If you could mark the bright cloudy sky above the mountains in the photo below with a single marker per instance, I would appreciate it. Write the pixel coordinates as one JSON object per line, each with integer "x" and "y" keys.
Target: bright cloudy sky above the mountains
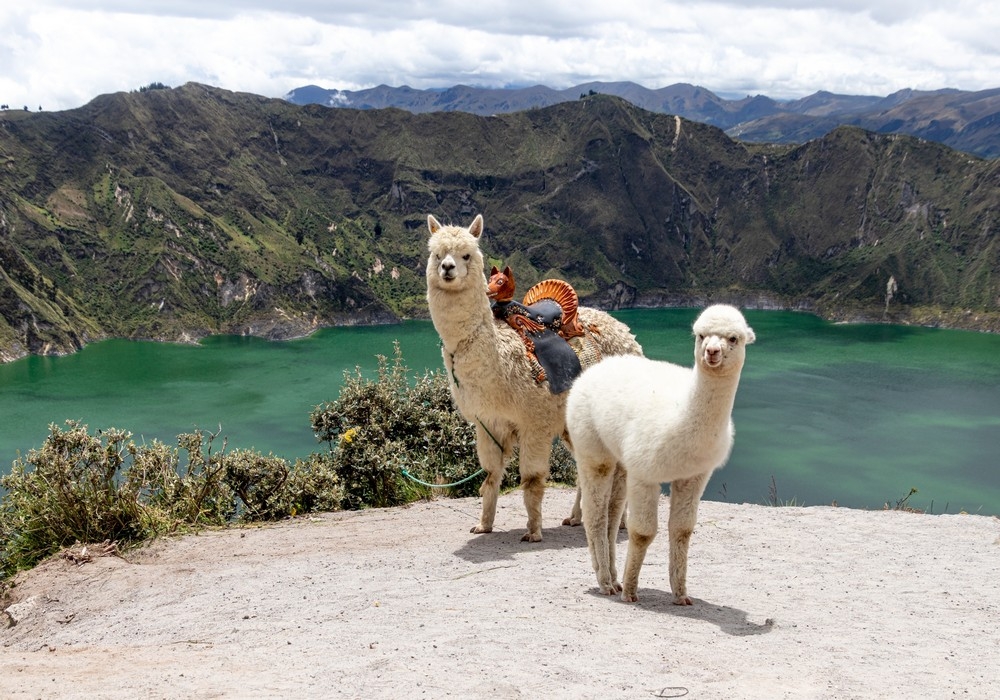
{"x": 60, "y": 54}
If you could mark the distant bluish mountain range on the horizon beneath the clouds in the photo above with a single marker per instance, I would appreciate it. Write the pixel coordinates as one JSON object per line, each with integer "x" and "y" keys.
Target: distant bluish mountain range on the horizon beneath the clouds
{"x": 965, "y": 121}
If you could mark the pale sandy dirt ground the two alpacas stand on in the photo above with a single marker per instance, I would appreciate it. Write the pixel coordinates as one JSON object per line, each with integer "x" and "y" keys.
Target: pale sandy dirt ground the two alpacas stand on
{"x": 816, "y": 602}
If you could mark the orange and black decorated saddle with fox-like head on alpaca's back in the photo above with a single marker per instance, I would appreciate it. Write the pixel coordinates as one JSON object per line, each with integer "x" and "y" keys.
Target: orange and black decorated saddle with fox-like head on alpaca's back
{"x": 547, "y": 322}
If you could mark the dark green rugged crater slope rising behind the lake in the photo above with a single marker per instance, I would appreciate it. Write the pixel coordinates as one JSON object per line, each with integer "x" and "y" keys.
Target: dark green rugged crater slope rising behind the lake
{"x": 171, "y": 214}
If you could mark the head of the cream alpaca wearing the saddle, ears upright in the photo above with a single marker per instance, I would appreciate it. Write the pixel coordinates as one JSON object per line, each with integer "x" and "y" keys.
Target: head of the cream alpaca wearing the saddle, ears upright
{"x": 455, "y": 262}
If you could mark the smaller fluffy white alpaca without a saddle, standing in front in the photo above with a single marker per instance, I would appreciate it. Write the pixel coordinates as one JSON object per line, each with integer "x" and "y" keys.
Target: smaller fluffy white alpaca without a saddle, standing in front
{"x": 637, "y": 423}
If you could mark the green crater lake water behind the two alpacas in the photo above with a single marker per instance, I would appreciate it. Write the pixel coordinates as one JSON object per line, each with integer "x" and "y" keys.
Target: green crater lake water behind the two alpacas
{"x": 852, "y": 414}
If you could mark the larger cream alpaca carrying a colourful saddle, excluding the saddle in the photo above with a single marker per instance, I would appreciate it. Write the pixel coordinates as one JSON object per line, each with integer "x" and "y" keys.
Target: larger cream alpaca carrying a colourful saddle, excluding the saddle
{"x": 491, "y": 378}
